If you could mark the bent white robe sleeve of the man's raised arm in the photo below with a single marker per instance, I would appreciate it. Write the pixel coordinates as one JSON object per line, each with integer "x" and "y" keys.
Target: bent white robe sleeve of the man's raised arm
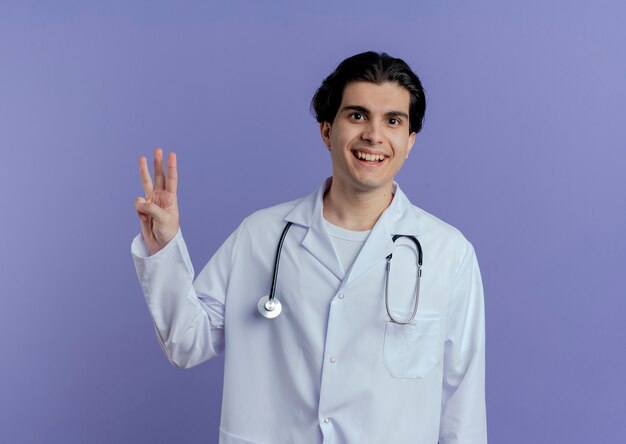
{"x": 188, "y": 315}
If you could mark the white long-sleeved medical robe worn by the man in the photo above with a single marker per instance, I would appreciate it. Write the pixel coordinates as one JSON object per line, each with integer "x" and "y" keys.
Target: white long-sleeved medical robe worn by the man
{"x": 331, "y": 368}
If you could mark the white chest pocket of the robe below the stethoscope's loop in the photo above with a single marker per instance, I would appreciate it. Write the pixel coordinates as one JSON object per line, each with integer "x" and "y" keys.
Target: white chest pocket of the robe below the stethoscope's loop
{"x": 412, "y": 350}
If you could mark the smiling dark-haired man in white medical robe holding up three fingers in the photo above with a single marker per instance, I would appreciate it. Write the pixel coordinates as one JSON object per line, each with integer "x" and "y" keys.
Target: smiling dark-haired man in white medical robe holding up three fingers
{"x": 363, "y": 350}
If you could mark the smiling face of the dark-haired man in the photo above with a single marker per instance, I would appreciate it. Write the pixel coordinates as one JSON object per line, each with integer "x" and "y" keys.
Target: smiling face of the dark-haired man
{"x": 369, "y": 139}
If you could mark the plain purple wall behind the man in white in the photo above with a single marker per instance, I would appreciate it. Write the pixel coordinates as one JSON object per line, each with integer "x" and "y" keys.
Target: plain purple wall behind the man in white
{"x": 523, "y": 149}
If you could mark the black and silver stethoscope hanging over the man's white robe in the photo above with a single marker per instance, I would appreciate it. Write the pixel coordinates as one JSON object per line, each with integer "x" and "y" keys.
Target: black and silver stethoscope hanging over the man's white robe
{"x": 270, "y": 307}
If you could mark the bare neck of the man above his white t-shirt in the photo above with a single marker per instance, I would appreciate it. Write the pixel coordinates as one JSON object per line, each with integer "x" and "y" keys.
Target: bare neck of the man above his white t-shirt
{"x": 353, "y": 210}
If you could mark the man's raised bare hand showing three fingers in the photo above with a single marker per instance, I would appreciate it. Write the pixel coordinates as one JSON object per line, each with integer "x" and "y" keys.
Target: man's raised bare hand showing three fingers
{"x": 158, "y": 210}
